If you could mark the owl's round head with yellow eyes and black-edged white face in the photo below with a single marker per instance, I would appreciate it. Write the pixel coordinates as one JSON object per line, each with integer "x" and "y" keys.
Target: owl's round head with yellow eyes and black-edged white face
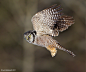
{"x": 30, "y": 36}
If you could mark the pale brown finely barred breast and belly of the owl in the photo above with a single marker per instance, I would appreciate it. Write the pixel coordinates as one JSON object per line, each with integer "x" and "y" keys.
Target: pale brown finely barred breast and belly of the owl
{"x": 44, "y": 40}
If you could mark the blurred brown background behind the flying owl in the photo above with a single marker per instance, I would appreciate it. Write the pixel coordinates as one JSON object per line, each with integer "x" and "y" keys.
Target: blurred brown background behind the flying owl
{"x": 16, "y": 53}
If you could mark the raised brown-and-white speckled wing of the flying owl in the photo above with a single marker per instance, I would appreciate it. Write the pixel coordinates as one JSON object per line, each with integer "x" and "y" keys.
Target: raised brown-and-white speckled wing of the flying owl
{"x": 52, "y": 18}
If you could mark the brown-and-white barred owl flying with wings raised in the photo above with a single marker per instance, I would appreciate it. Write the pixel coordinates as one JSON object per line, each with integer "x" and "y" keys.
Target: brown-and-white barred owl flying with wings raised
{"x": 47, "y": 24}
